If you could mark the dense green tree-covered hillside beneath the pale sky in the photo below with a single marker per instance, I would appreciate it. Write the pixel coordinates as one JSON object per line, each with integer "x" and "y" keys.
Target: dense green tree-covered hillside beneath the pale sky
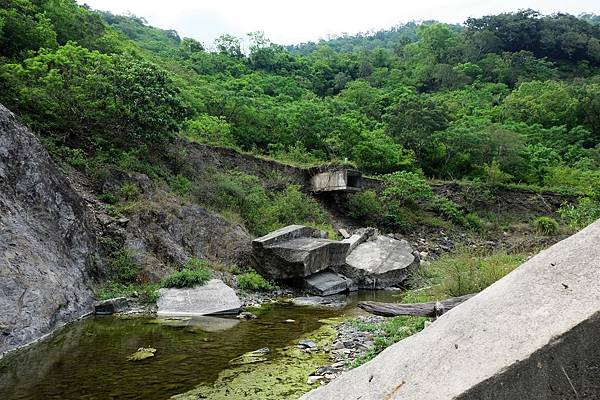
{"x": 506, "y": 99}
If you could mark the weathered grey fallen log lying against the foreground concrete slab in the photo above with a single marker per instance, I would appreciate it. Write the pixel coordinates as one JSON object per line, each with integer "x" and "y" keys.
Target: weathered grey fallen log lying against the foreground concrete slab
{"x": 433, "y": 309}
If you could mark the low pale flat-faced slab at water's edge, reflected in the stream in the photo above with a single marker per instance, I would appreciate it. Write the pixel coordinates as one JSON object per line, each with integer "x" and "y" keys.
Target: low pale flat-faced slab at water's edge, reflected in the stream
{"x": 214, "y": 297}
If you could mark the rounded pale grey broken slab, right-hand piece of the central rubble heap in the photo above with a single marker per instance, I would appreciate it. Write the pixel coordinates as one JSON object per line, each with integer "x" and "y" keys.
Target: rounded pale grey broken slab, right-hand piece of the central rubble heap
{"x": 378, "y": 262}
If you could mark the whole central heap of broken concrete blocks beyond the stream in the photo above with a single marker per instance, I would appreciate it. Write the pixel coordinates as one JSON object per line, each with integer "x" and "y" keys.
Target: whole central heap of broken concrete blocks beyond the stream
{"x": 365, "y": 260}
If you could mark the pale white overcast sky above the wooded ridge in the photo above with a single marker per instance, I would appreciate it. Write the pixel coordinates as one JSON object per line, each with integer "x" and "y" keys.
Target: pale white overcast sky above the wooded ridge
{"x": 288, "y": 22}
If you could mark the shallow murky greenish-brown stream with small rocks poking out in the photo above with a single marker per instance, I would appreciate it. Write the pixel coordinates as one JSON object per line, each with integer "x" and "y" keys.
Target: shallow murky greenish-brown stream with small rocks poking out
{"x": 88, "y": 359}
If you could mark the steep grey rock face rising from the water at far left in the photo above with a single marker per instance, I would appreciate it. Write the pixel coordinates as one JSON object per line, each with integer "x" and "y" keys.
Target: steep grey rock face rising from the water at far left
{"x": 47, "y": 246}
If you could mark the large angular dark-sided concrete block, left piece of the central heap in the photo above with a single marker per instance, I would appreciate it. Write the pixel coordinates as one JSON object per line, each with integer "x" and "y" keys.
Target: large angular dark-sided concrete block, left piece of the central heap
{"x": 296, "y": 251}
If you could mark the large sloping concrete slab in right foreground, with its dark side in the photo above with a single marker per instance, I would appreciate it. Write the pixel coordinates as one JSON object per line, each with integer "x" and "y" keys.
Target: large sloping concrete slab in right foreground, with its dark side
{"x": 531, "y": 335}
